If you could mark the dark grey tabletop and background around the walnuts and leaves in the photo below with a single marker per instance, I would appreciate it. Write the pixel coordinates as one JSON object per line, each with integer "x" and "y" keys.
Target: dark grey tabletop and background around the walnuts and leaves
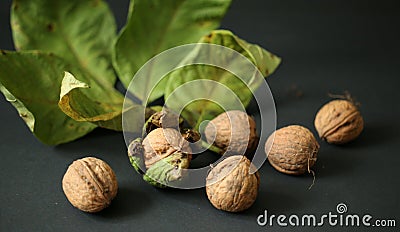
{"x": 326, "y": 46}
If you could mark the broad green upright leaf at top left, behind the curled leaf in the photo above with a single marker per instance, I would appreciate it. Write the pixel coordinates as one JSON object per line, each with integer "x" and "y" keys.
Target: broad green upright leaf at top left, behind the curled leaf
{"x": 81, "y": 32}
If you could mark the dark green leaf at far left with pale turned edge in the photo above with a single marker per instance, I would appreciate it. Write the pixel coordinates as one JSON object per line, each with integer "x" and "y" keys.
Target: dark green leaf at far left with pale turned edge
{"x": 31, "y": 82}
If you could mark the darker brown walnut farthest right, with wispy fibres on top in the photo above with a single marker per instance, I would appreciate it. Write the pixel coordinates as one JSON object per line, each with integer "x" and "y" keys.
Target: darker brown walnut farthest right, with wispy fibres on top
{"x": 338, "y": 122}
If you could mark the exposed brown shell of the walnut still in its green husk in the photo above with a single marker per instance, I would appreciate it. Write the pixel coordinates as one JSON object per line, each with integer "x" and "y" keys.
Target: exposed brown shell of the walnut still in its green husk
{"x": 163, "y": 142}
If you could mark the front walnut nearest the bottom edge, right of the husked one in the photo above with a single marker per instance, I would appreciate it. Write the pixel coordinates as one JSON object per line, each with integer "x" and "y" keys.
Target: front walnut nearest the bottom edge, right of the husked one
{"x": 230, "y": 186}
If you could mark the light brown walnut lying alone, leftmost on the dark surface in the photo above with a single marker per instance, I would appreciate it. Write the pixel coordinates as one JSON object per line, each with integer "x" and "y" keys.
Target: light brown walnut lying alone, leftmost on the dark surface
{"x": 90, "y": 184}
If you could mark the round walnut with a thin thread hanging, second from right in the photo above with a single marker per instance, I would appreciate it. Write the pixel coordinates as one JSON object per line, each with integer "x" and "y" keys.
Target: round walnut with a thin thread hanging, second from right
{"x": 294, "y": 150}
